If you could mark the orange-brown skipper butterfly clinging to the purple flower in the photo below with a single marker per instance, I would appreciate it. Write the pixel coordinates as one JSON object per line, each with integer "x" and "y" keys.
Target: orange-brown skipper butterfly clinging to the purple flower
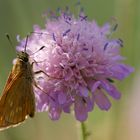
{"x": 18, "y": 100}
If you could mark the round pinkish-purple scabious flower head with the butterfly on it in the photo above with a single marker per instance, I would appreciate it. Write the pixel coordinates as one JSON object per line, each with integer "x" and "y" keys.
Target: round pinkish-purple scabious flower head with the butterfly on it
{"x": 79, "y": 62}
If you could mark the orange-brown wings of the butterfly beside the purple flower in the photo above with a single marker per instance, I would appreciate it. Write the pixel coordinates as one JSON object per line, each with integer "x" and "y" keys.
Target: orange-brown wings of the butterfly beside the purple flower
{"x": 17, "y": 101}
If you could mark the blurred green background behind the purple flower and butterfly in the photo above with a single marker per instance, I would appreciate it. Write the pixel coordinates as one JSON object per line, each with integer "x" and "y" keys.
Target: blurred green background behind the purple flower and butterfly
{"x": 122, "y": 121}
